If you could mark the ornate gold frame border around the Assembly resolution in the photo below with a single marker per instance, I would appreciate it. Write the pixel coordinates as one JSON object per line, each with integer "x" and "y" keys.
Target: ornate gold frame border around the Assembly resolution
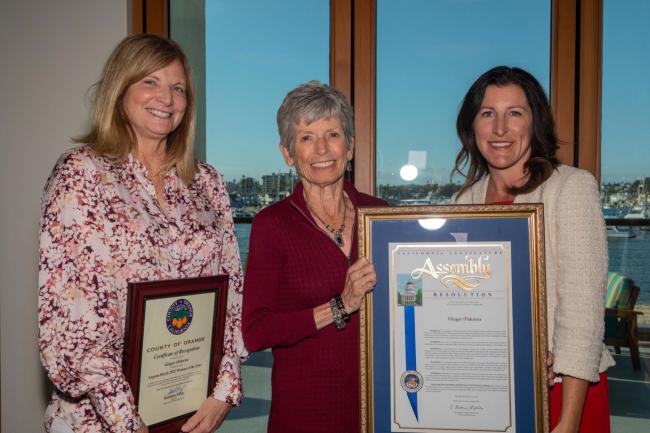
{"x": 534, "y": 213}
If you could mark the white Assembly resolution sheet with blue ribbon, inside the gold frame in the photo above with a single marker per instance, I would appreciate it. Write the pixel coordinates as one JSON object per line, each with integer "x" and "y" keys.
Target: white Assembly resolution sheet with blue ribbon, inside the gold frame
{"x": 451, "y": 327}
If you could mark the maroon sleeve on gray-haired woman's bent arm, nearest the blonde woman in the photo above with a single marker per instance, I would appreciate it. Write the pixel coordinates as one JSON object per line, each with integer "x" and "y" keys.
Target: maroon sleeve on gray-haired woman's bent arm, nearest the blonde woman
{"x": 265, "y": 323}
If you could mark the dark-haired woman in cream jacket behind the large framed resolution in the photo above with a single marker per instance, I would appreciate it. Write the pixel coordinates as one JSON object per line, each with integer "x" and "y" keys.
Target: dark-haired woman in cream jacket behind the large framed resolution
{"x": 508, "y": 150}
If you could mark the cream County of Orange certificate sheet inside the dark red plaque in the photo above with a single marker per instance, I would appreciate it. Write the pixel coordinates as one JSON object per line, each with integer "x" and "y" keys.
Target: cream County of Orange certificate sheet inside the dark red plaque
{"x": 176, "y": 354}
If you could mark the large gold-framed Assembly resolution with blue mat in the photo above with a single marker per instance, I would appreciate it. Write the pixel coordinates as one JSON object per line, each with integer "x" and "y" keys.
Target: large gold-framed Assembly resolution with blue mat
{"x": 453, "y": 337}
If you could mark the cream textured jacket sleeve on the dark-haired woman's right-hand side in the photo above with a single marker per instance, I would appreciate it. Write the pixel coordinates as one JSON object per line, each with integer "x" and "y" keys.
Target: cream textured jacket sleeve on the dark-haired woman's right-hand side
{"x": 581, "y": 250}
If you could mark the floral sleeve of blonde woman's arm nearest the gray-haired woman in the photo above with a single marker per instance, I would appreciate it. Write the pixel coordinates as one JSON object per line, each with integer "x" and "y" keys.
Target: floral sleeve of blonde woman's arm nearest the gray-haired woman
{"x": 229, "y": 385}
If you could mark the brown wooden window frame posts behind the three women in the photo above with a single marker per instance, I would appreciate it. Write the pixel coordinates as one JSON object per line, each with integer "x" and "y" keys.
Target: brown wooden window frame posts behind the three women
{"x": 576, "y": 31}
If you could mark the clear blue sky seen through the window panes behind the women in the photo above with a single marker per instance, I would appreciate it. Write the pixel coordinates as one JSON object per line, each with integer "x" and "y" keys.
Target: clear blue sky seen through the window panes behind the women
{"x": 427, "y": 56}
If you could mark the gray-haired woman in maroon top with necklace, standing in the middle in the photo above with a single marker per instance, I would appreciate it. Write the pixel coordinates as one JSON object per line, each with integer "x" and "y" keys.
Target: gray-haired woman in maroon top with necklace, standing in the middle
{"x": 304, "y": 281}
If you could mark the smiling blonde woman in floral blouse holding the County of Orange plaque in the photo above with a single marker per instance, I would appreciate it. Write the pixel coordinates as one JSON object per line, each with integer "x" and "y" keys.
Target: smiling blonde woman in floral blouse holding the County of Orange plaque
{"x": 130, "y": 204}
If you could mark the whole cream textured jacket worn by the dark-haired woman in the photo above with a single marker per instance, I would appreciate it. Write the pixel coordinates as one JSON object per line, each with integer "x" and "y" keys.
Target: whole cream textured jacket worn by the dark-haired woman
{"x": 576, "y": 268}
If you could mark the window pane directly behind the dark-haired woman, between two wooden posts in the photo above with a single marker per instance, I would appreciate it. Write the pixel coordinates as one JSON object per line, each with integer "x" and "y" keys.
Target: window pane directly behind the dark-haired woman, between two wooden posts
{"x": 428, "y": 54}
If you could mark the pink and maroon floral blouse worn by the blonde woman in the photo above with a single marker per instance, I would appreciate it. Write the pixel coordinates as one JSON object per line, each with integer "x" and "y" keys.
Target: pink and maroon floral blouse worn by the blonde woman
{"x": 102, "y": 227}
